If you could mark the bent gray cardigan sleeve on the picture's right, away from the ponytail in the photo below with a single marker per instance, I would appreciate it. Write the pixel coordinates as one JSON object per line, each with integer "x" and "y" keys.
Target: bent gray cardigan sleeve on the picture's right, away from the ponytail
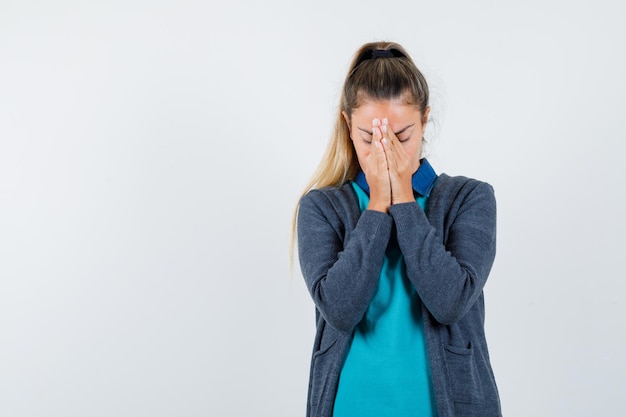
{"x": 450, "y": 278}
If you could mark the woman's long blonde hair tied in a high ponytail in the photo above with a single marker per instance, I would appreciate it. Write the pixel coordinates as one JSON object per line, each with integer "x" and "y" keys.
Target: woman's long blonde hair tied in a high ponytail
{"x": 371, "y": 77}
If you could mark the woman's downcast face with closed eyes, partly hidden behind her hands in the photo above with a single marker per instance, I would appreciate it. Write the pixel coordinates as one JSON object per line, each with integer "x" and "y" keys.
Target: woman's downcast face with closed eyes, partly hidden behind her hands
{"x": 405, "y": 121}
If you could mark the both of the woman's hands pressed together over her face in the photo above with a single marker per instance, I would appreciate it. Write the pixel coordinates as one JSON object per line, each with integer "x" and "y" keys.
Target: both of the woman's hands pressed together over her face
{"x": 388, "y": 169}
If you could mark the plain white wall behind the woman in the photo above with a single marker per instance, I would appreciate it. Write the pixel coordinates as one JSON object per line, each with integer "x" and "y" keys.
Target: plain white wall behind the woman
{"x": 152, "y": 152}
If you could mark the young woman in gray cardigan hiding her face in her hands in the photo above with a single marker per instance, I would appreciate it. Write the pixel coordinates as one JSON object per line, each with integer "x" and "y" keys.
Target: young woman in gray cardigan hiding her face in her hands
{"x": 395, "y": 258}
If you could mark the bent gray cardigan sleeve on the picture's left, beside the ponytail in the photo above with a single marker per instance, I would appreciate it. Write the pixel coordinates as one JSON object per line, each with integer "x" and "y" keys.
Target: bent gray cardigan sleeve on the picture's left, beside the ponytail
{"x": 342, "y": 277}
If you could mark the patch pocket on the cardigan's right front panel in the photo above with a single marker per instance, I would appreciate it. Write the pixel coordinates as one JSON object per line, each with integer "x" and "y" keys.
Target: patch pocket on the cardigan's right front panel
{"x": 463, "y": 375}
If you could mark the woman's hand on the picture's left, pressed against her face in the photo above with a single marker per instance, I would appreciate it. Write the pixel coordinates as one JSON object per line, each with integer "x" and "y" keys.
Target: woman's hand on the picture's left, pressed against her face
{"x": 377, "y": 172}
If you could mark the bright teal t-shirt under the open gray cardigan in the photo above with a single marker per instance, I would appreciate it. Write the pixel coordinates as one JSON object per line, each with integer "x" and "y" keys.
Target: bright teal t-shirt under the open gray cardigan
{"x": 387, "y": 372}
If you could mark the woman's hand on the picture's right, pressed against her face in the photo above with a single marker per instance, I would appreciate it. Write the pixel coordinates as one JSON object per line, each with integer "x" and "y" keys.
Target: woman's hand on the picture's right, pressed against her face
{"x": 399, "y": 165}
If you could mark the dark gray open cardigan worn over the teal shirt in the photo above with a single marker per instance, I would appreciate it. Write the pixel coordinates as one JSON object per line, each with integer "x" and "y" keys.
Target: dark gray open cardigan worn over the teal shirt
{"x": 448, "y": 255}
